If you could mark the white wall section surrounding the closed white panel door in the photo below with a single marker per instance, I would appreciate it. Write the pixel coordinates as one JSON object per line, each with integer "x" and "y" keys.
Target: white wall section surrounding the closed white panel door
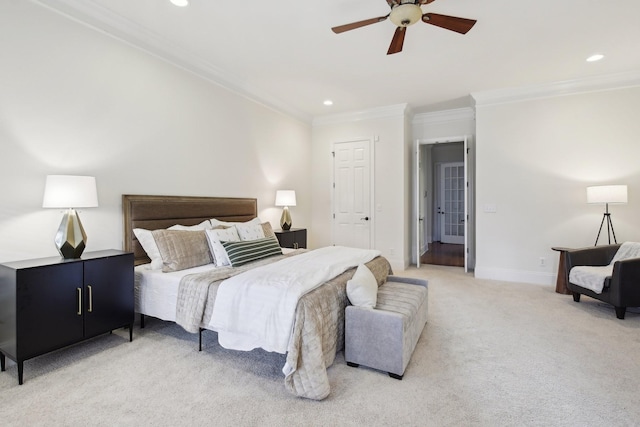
{"x": 386, "y": 128}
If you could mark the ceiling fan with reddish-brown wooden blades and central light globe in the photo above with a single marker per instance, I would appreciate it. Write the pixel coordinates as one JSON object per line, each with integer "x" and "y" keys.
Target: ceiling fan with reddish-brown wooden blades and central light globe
{"x": 408, "y": 12}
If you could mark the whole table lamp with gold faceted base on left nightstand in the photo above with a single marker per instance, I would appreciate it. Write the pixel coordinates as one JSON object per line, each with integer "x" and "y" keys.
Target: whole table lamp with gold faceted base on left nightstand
{"x": 70, "y": 192}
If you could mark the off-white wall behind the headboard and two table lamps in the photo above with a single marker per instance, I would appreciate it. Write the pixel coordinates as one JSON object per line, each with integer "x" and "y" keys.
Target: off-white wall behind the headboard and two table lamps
{"x": 76, "y": 101}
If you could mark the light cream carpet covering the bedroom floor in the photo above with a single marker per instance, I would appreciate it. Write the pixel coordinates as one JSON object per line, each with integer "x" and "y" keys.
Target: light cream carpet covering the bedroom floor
{"x": 492, "y": 354}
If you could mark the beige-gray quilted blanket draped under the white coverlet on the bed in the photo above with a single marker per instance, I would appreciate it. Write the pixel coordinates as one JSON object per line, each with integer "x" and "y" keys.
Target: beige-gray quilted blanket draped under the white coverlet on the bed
{"x": 318, "y": 331}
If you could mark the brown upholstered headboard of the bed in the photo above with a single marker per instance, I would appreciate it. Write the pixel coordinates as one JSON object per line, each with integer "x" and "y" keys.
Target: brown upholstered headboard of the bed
{"x": 156, "y": 212}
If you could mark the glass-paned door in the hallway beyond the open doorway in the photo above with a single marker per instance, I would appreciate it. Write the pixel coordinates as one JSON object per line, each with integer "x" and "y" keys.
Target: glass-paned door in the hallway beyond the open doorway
{"x": 452, "y": 204}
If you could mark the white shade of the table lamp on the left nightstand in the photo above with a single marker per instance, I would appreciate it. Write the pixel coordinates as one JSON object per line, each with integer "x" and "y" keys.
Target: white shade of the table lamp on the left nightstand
{"x": 70, "y": 191}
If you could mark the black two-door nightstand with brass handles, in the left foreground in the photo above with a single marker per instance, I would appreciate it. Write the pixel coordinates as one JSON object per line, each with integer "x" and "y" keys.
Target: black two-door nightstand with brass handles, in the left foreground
{"x": 50, "y": 303}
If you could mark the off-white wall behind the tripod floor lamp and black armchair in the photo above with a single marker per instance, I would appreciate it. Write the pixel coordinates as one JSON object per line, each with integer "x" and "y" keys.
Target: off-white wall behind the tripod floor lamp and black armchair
{"x": 535, "y": 159}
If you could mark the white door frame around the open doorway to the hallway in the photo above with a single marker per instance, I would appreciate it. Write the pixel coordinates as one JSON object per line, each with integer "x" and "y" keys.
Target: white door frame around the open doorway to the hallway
{"x": 424, "y": 217}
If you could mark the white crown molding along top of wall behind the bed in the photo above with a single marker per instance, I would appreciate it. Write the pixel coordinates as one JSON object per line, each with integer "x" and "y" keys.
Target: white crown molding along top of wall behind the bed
{"x": 96, "y": 17}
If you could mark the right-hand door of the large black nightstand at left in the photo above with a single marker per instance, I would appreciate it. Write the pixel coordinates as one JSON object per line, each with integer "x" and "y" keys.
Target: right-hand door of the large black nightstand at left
{"x": 108, "y": 294}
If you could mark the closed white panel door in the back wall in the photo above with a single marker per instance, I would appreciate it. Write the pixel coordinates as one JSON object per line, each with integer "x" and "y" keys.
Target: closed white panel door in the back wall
{"x": 352, "y": 198}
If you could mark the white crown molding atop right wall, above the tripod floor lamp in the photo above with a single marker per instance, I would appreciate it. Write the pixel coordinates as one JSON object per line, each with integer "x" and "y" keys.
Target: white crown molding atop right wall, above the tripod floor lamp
{"x": 566, "y": 87}
